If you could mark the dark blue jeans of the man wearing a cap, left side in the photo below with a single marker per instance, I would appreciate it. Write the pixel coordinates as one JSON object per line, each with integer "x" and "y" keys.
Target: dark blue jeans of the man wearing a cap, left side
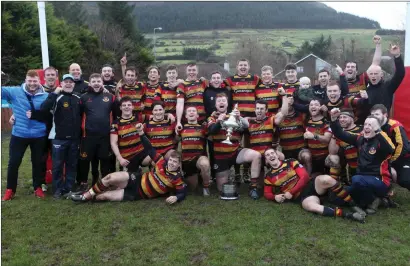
{"x": 64, "y": 152}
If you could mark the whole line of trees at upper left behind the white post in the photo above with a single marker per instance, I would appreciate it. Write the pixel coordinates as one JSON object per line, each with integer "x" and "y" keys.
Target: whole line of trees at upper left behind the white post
{"x": 73, "y": 36}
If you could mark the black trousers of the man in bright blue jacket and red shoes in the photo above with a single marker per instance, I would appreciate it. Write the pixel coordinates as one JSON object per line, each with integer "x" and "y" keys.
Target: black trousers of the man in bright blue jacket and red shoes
{"x": 17, "y": 149}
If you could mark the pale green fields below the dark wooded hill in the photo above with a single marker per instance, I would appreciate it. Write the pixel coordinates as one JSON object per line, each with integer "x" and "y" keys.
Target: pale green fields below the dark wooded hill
{"x": 228, "y": 39}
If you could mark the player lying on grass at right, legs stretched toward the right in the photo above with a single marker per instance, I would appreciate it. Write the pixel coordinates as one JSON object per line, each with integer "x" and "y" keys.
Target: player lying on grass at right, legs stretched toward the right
{"x": 288, "y": 180}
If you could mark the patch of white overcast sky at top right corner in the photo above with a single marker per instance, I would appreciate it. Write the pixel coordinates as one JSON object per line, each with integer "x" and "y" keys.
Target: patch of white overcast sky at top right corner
{"x": 390, "y": 15}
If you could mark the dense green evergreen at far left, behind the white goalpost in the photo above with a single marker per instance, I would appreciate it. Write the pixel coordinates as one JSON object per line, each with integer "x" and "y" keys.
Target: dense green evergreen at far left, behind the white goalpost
{"x": 21, "y": 47}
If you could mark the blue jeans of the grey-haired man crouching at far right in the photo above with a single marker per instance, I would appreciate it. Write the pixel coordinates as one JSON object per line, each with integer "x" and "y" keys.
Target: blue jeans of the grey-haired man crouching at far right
{"x": 366, "y": 188}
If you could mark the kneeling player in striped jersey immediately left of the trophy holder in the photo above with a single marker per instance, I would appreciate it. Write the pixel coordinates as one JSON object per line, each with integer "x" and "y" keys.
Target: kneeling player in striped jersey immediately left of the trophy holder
{"x": 194, "y": 159}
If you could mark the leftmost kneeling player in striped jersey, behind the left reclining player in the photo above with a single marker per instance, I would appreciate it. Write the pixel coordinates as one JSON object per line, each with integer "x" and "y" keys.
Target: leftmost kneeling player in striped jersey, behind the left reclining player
{"x": 125, "y": 140}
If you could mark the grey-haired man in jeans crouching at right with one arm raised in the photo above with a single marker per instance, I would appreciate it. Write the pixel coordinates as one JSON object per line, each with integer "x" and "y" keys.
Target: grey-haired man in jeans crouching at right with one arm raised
{"x": 373, "y": 179}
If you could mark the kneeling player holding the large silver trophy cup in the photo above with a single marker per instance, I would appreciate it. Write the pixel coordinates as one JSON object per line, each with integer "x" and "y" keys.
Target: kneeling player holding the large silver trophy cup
{"x": 226, "y": 130}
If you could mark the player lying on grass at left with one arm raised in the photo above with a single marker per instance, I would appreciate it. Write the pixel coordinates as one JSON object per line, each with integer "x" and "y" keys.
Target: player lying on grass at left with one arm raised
{"x": 165, "y": 177}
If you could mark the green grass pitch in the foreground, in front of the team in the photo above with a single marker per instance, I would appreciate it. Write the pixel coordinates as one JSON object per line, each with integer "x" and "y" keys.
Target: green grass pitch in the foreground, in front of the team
{"x": 197, "y": 231}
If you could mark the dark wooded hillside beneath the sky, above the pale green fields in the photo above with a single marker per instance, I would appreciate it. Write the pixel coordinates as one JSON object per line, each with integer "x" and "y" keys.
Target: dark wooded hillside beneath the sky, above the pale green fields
{"x": 190, "y": 16}
